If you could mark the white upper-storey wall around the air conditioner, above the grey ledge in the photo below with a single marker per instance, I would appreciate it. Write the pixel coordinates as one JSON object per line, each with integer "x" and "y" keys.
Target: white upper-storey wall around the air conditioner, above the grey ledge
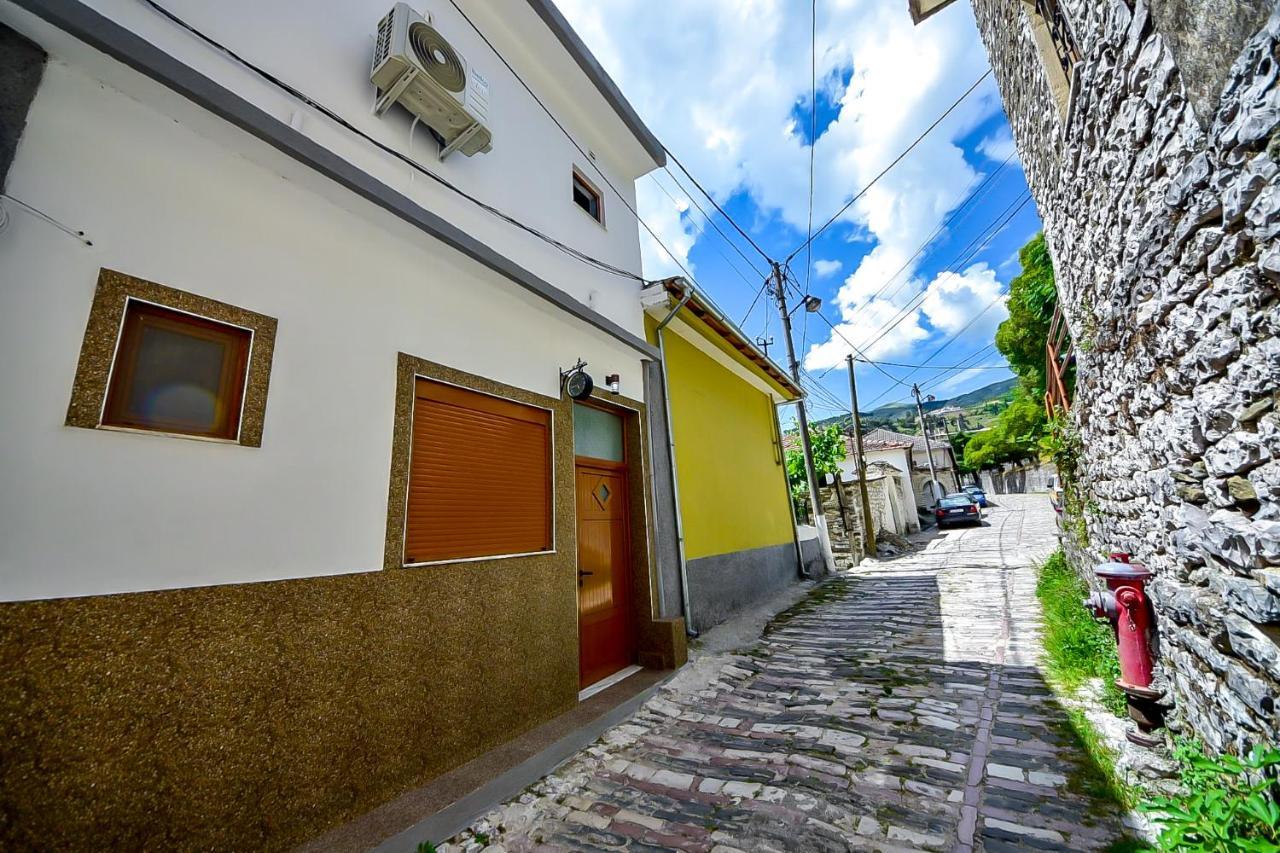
{"x": 324, "y": 48}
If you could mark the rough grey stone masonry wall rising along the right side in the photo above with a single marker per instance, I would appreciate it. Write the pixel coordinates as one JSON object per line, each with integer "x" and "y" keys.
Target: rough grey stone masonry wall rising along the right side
{"x": 1160, "y": 191}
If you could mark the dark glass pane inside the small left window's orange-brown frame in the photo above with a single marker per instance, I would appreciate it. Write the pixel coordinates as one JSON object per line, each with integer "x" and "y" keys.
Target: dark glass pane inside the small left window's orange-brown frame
{"x": 177, "y": 378}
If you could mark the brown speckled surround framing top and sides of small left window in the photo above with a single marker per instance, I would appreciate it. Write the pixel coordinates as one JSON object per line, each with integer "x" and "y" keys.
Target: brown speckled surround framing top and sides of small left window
{"x": 89, "y": 390}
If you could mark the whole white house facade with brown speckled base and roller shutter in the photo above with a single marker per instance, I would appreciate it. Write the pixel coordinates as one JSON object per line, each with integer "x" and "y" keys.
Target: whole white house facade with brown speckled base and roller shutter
{"x": 262, "y": 199}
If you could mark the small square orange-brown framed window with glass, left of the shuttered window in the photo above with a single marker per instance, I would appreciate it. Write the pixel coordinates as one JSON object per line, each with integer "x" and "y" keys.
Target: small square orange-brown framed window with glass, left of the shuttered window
{"x": 177, "y": 373}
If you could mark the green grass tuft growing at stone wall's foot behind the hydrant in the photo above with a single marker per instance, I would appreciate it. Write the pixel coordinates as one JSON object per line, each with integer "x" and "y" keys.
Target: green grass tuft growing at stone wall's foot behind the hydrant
{"x": 1078, "y": 647}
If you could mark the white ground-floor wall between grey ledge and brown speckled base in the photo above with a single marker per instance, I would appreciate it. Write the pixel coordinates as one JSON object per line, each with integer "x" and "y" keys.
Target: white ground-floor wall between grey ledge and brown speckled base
{"x": 173, "y": 198}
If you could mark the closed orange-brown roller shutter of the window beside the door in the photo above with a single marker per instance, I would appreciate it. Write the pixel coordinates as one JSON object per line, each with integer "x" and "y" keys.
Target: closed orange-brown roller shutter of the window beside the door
{"x": 479, "y": 480}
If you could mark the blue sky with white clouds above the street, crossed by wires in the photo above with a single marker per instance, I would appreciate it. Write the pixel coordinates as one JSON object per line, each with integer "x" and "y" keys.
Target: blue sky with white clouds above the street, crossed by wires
{"x": 725, "y": 85}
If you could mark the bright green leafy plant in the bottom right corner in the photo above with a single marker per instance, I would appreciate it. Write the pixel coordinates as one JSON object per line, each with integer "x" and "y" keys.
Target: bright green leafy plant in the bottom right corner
{"x": 1229, "y": 805}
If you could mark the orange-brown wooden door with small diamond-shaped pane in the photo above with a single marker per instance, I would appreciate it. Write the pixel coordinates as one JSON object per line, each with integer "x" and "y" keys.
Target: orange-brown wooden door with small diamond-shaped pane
{"x": 604, "y": 612}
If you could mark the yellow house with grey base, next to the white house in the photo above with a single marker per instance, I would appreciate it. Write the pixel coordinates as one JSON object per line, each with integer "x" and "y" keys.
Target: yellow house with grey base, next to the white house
{"x": 735, "y": 533}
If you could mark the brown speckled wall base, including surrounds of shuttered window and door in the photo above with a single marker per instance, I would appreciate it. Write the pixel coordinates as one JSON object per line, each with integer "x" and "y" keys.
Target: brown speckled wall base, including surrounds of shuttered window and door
{"x": 258, "y": 717}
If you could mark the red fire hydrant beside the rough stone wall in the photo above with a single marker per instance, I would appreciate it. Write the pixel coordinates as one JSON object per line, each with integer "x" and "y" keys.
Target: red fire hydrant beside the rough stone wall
{"x": 1127, "y": 606}
